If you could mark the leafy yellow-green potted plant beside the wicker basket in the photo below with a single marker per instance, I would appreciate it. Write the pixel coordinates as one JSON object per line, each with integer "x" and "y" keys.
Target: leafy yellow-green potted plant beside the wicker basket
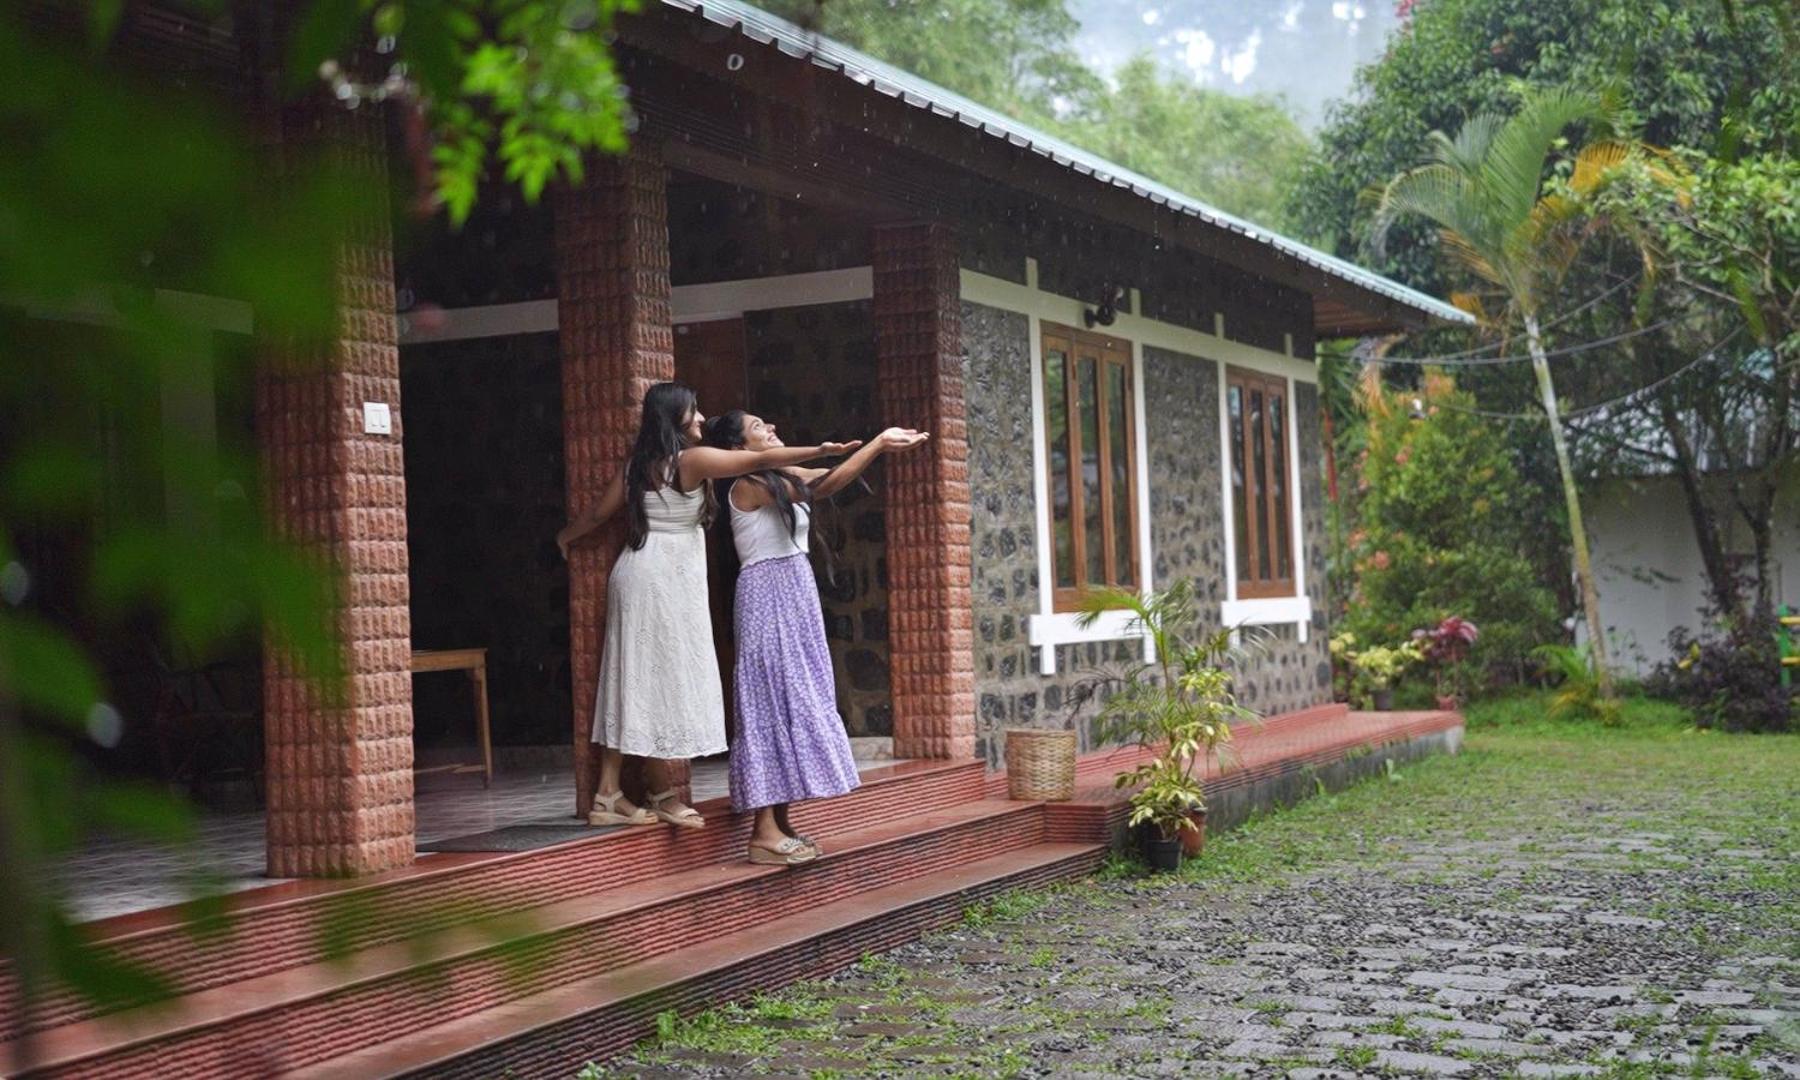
{"x": 1178, "y": 706}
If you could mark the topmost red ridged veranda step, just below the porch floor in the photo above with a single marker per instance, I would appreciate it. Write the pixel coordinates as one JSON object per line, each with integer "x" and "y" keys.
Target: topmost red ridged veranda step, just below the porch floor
{"x": 289, "y": 926}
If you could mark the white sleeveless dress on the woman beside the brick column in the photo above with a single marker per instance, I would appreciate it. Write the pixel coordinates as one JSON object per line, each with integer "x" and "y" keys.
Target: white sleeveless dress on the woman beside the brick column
{"x": 660, "y": 692}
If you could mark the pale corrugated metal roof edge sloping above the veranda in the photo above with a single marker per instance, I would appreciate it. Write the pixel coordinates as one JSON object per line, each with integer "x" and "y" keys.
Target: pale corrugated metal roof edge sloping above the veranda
{"x": 768, "y": 30}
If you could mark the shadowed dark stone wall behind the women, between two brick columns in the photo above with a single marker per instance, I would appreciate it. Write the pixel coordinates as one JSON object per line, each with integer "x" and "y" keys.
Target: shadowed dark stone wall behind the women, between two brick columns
{"x": 813, "y": 373}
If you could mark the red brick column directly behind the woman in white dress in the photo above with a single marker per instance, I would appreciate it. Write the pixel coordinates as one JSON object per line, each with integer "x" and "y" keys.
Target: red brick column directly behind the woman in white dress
{"x": 613, "y": 307}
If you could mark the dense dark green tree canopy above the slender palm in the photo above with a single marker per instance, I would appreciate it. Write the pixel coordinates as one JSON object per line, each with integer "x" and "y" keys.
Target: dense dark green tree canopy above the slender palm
{"x": 1678, "y": 71}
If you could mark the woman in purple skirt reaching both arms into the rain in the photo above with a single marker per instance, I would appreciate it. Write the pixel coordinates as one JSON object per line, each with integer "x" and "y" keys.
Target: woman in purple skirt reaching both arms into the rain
{"x": 791, "y": 741}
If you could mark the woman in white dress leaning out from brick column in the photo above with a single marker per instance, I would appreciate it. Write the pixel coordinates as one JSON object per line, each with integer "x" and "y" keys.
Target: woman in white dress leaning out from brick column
{"x": 660, "y": 694}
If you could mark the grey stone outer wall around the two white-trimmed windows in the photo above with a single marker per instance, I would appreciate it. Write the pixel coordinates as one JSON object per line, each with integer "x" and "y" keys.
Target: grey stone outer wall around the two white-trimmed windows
{"x": 1187, "y": 534}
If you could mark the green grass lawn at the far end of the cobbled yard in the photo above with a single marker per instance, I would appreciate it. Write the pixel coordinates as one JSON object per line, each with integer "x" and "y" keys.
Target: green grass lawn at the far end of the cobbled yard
{"x": 1522, "y": 775}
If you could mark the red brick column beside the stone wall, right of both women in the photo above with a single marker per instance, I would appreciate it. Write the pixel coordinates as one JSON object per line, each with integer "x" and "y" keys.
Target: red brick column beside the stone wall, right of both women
{"x": 919, "y": 348}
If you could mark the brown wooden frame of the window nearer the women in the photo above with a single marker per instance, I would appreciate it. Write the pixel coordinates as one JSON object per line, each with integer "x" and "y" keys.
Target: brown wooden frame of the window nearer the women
{"x": 1108, "y": 352}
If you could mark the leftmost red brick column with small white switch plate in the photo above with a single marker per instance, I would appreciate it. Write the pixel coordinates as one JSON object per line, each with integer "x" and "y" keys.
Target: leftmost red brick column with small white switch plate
{"x": 341, "y": 757}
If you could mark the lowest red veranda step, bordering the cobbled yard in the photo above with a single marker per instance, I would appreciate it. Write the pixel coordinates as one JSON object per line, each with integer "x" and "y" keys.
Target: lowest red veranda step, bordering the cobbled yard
{"x": 553, "y": 1034}
